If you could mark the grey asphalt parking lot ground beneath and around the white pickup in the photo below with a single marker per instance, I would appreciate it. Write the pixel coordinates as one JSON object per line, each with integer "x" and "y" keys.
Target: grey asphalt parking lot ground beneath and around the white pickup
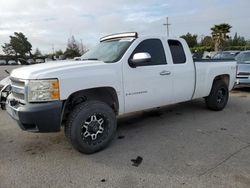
{"x": 182, "y": 145}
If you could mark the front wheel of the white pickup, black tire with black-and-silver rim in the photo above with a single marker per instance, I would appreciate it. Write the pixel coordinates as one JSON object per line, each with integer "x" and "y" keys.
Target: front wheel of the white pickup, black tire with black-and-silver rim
{"x": 91, "y": 126}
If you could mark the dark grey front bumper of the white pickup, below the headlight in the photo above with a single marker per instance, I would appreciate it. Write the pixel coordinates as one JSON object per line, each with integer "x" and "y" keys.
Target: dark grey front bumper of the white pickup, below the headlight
{"x": 39, "y": 117}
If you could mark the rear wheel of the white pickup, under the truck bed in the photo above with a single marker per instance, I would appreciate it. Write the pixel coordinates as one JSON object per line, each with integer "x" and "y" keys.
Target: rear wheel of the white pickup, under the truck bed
{"x": 218, "y": 97}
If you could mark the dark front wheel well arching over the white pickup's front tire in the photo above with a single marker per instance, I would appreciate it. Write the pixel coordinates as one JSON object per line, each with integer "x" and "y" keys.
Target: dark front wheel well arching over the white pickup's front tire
{"x": 107, "y": 95}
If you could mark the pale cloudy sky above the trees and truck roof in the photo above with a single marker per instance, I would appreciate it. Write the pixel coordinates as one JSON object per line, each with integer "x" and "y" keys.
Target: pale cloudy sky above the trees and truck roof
{"x": 49, "y": 23}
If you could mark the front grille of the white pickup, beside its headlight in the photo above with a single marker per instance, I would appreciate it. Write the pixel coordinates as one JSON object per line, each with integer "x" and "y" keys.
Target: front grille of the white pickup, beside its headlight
{"x": 18, "y": 89}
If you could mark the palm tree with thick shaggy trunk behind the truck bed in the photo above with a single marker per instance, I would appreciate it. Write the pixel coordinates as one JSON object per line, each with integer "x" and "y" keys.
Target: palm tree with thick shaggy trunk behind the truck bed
{"x": 219, "y": 33}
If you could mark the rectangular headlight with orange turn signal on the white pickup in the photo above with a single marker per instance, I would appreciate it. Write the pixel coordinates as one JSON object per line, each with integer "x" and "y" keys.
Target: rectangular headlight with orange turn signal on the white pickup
{"x": 43, "y": 90}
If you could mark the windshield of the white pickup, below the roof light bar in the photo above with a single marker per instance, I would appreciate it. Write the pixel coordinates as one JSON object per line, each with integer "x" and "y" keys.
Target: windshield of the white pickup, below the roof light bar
{"x": 108, "y": 51}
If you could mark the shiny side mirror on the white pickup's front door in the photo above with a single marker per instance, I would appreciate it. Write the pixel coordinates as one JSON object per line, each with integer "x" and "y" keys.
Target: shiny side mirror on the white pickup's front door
{"x": 139, "y": 59}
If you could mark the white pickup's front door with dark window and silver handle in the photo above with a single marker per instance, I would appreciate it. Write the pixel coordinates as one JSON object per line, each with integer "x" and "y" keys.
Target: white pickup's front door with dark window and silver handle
{"x": 149, "y": 85}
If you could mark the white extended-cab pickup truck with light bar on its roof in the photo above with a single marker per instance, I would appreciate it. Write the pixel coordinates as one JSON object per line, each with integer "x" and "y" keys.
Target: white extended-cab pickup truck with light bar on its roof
{"x": 124, "y": 73}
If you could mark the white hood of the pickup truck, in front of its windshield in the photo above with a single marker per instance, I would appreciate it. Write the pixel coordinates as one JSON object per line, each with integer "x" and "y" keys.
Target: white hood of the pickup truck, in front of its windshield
{"x": 51, "y": 69}
